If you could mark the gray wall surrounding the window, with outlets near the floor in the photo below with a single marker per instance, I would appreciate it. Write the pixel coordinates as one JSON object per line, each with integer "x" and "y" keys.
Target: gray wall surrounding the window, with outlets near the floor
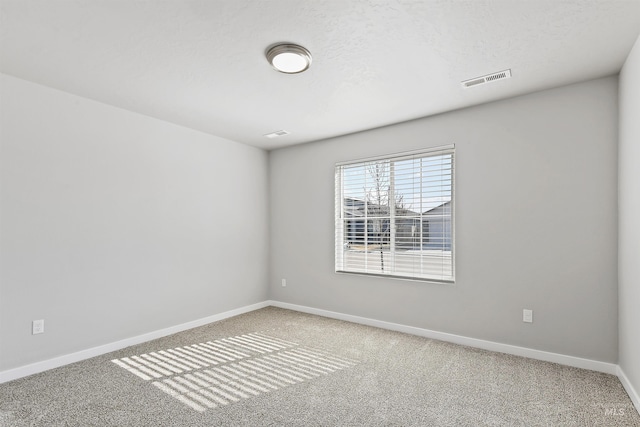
{"x": 536, "y": 223}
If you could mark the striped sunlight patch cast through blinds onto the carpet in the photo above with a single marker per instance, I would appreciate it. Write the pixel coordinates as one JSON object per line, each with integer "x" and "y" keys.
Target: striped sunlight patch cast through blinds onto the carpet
{"x": 218, "y": 373}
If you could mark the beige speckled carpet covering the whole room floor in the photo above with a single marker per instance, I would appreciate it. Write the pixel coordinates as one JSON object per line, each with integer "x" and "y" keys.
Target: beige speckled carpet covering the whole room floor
{"x": 275, "y": 367}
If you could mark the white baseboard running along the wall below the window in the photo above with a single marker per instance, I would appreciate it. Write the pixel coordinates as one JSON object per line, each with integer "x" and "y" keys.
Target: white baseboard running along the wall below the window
{"x": 562, "y": 359}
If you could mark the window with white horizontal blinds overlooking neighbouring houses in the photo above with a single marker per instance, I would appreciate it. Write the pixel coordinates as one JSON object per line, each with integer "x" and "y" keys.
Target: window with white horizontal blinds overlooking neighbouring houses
{"x": 394, "y": 215}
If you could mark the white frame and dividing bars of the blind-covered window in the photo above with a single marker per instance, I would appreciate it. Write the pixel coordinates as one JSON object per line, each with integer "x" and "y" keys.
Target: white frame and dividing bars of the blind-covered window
{"x": 341, "y": 228}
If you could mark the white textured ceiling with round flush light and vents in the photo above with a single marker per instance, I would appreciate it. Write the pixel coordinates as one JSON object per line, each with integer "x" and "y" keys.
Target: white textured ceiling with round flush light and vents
{"x": 201, "y": 63}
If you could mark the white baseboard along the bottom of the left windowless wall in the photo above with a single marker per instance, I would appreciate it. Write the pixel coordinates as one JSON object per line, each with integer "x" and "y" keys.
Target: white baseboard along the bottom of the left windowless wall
{"x": 34, "y": 368}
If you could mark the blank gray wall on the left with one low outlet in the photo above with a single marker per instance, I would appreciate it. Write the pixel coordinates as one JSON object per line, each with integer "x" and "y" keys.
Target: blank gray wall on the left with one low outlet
{"x": 114, "y": 224}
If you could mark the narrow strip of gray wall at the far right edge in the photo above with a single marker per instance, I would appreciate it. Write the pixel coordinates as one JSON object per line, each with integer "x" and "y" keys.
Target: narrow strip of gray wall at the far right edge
{"x": 629, "y": 219}
